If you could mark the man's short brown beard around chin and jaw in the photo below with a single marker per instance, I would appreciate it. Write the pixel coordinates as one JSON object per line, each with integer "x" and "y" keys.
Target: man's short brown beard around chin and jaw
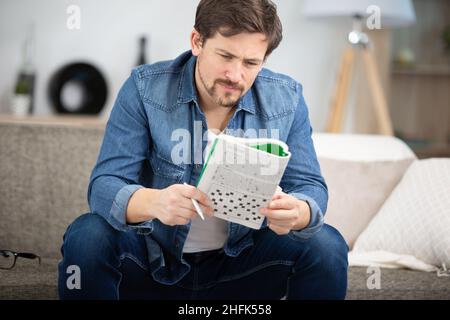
{"x": 226, "y": 100}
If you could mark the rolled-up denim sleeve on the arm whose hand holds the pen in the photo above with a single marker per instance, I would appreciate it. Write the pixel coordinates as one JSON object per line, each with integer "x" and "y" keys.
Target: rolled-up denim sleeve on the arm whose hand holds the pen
{"x": 124, "y": 149}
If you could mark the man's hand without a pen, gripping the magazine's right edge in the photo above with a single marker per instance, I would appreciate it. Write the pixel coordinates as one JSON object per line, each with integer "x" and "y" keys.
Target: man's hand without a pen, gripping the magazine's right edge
{"x": 285, "y": 213}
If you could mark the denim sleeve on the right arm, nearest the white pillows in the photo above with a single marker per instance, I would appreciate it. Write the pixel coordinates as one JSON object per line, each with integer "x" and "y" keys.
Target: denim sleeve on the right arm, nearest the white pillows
{"x": 302, "y": 178}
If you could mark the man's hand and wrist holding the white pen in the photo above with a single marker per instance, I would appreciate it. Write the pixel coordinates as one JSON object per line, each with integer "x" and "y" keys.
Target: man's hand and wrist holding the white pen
{"x": 172, "y": 205}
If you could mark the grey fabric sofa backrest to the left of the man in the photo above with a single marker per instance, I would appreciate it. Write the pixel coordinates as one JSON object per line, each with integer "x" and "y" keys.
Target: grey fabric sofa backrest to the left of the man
{"x": 44, "y": 177}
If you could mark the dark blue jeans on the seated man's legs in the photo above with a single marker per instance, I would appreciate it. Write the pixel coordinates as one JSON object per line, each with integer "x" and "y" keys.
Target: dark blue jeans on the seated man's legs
{"x": 114, "y": 265}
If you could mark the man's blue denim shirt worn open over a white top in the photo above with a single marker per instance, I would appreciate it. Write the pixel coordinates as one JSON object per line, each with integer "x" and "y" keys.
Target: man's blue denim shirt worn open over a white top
{"x": 139, "y": 139}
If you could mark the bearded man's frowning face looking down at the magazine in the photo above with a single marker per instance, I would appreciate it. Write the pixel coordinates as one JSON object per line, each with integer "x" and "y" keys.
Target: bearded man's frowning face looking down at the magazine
{"x": 227, "y": 66}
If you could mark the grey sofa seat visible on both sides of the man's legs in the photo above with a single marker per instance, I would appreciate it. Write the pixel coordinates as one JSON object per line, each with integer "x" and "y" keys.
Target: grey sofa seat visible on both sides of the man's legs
{"x": 28, "y": 281}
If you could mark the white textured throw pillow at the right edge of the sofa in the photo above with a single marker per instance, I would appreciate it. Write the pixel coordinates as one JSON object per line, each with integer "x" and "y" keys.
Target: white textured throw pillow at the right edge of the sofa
{"x": 415, "y": 219}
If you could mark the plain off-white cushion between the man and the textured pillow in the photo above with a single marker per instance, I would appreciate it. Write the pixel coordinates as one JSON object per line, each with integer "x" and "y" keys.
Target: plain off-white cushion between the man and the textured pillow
{"x": 361, "y": 171}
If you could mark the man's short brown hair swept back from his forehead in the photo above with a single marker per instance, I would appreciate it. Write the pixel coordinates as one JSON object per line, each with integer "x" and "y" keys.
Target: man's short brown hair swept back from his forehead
{"x": 231, "y": 17}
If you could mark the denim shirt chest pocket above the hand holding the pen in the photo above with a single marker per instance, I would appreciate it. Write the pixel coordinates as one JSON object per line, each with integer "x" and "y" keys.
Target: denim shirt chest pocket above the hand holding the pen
{"x": 165, "y": 172}
